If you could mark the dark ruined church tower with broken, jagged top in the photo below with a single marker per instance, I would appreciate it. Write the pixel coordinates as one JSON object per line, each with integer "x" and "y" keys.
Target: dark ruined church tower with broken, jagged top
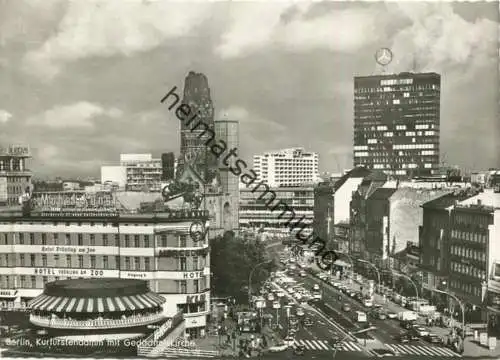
{"x": 194, "y": 138}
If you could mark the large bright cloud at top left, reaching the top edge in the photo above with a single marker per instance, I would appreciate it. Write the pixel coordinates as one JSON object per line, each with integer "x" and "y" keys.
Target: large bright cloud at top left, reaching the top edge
{"x": 112, "y": 27}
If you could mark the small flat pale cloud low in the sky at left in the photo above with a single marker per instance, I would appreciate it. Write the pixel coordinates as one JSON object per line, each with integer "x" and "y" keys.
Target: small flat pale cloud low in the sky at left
{"x": 78, "y": 115}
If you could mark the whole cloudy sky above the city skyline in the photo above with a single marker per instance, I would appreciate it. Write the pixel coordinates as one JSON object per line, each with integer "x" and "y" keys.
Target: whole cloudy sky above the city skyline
{"x": 81, "y": 81}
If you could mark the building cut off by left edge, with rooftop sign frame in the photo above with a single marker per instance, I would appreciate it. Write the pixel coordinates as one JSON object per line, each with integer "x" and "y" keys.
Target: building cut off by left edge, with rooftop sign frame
{"x": 14, "y": 176}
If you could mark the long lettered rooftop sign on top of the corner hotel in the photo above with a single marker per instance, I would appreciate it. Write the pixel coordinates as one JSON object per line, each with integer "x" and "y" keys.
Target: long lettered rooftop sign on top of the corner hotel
{"x": 70, "y": 201}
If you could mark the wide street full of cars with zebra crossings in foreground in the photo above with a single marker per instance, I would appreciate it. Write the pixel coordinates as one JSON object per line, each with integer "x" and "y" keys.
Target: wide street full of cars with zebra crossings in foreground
{"x": 315, "y": 315}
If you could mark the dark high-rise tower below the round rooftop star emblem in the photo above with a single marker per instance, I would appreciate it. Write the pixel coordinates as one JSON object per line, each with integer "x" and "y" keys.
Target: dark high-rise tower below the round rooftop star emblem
{"x": 396, "y": 123}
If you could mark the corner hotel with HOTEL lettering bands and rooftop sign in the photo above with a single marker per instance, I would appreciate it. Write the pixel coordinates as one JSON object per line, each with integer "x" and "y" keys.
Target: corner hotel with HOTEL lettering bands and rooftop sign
{"x": 80, "y": 235}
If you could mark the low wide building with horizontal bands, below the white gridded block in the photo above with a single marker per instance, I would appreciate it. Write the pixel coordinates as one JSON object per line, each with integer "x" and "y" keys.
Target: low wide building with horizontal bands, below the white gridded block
{"x": 254, "y": 213}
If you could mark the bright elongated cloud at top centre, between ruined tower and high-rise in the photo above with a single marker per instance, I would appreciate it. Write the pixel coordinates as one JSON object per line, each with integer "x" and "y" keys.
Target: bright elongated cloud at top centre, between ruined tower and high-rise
{"x": 256, "y": 25}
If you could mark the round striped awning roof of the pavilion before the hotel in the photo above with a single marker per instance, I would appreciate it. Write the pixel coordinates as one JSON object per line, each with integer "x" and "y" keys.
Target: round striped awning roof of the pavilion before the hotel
{"x": 96, "y": 305}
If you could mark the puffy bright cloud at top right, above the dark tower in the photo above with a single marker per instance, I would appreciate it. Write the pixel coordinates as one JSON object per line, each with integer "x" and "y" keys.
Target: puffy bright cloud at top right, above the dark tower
{"x": 438, "y": 39}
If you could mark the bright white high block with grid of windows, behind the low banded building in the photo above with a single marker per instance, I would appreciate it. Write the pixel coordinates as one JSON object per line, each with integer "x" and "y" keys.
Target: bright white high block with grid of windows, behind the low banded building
{"x": 287, "y": 167}
